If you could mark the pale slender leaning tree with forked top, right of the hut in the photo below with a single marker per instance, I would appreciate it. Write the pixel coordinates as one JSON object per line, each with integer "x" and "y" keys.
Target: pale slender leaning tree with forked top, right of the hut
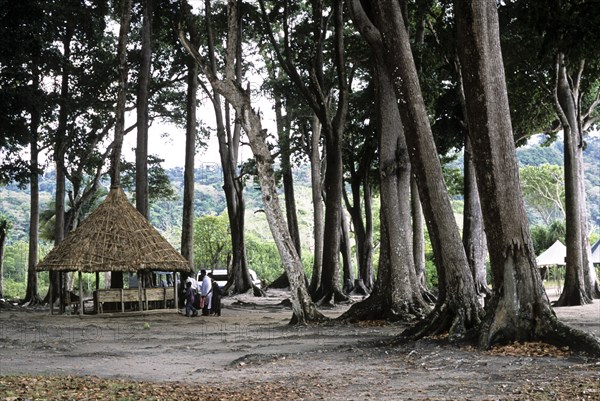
{"x": 302, "y": 306}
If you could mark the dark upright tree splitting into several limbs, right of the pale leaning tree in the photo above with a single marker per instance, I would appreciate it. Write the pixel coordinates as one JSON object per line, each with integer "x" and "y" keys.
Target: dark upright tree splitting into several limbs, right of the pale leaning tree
{"x": 316, "y": 92}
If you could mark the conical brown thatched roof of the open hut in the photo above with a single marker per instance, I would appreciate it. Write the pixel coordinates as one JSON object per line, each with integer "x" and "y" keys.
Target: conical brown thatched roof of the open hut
{"x": 115, "y": 237}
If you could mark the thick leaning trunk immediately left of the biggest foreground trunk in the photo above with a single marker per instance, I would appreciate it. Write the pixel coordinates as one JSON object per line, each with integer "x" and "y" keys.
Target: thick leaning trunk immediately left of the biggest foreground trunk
{"x": 457, "y": 309}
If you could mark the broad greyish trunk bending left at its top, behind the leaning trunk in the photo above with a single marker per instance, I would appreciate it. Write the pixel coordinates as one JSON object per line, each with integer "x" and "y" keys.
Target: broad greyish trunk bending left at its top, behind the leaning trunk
{"x": 396, "y": 294}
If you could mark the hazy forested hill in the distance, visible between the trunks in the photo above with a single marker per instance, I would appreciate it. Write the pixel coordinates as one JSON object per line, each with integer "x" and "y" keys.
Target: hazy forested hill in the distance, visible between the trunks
{"x": 210, "y": 198}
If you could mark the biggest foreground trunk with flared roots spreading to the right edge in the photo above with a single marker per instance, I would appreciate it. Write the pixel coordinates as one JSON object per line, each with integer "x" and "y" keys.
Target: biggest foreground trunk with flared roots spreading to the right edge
{"x": 519, "y": 309}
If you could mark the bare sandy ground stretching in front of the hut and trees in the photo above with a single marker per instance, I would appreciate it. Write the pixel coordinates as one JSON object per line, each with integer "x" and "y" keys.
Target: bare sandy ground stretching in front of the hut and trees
{"x": 251, "y": 344}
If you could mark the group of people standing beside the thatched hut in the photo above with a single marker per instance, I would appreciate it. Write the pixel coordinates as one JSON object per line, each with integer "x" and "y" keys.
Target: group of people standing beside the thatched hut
{"x": 204, "y": 296}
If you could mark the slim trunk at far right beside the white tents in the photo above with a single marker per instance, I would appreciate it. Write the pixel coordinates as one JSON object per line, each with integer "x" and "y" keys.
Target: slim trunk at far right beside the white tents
{"x": 574, "y": 292}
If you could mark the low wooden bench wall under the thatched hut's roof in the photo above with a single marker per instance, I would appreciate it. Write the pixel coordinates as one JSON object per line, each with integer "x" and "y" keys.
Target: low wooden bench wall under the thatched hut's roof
{"x": 122, "y": 295}
